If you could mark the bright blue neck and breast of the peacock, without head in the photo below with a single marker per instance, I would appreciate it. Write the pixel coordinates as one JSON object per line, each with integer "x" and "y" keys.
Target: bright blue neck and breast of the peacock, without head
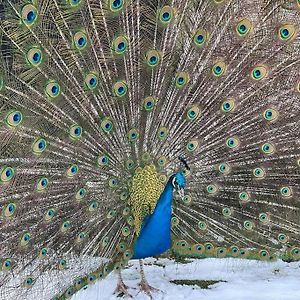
{"x": 155, "y": 235}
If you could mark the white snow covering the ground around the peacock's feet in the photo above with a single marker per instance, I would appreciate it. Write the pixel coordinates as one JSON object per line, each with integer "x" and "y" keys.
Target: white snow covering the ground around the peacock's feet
{"x": 245, "y": 280}
